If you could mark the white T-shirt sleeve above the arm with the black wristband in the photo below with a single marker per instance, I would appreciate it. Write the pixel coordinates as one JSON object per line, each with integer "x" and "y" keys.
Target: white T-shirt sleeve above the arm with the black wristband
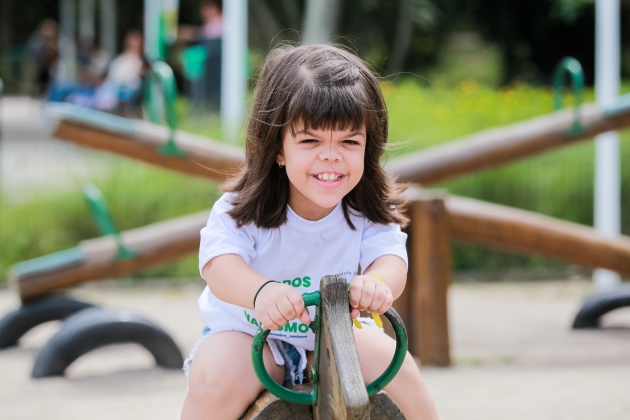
{"x": 221, "y": 236}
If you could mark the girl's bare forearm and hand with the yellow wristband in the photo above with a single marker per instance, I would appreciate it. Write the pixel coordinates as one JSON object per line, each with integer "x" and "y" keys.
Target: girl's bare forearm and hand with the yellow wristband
{"x": 369, "y": 293}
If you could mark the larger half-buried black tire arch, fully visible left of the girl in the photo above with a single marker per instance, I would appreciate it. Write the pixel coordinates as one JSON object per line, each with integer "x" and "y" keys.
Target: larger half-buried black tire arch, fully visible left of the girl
{"x": 98, "y": 327}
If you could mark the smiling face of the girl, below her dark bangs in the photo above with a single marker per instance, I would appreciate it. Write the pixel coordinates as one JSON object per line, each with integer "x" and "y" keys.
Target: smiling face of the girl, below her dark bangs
{"x": 323, "y": 166}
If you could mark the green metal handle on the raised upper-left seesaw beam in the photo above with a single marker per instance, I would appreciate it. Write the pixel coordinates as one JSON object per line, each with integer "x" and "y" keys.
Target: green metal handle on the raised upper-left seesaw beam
{"x": 162, "y": 74}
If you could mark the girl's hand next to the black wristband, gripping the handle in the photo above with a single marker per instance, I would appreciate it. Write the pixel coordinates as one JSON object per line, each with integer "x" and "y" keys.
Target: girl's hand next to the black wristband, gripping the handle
{"x": 279, "y": 303}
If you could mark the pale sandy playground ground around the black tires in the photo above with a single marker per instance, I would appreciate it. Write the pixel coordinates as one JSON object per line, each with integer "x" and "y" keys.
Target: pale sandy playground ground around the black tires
{"x": 515, "y": 357}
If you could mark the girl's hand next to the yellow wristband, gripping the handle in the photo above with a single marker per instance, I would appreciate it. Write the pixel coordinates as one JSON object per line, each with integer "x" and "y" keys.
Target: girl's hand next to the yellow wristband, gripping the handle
{"x": 369, "y": 294}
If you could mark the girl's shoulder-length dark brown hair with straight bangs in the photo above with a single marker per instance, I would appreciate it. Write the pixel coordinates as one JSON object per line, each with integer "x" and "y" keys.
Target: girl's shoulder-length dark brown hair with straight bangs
{"x": 313, "y": 87}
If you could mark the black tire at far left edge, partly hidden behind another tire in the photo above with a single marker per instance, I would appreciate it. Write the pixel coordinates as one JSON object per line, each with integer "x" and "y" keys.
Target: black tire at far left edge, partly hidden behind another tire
{"x": 31, "y": 314}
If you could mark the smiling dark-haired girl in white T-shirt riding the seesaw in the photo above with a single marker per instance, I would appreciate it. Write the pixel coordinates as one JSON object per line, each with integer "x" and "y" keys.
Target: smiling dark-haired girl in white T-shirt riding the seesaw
{"x": 311, "y": 200}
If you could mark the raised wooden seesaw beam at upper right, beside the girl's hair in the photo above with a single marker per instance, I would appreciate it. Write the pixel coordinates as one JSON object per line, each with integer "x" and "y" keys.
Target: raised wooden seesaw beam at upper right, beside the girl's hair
{"x": 497, "y": 146}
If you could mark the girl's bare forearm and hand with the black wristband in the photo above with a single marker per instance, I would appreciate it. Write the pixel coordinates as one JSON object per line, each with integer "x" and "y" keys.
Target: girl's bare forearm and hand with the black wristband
{"x": 233, "y": 281}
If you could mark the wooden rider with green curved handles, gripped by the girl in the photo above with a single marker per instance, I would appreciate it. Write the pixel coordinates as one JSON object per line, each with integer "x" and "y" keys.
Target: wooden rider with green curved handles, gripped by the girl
{"x": 336, "y": 389}
